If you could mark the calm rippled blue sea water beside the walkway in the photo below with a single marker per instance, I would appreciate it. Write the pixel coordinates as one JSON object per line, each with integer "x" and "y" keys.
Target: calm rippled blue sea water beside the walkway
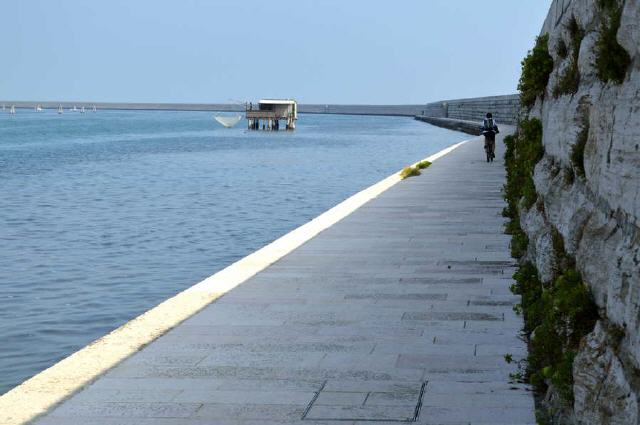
{"x": 103, "y": 216}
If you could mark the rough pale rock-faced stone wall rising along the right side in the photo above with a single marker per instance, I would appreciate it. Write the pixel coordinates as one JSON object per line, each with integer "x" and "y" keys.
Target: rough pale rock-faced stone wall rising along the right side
{"x": 598, "y": 214}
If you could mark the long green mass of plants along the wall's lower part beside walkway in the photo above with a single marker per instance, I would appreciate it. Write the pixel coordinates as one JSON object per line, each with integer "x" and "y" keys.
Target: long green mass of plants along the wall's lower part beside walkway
{"x": 558, "y": 314}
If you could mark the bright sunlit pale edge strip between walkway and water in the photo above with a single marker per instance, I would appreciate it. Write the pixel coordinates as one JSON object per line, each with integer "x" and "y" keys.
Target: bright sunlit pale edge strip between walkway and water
{"x": 50, "y": 387}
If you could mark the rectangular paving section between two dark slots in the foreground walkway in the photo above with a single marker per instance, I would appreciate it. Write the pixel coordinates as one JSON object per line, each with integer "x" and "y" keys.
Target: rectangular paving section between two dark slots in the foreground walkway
{"x": 398, "y": 403}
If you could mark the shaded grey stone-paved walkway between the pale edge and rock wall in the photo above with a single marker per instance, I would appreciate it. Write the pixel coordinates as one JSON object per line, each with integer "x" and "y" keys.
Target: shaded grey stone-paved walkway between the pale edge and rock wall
{"x": 401, "y": 312}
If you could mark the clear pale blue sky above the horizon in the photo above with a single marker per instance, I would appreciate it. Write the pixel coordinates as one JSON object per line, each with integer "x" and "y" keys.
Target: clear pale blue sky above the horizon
{"x": 316, "y": 51}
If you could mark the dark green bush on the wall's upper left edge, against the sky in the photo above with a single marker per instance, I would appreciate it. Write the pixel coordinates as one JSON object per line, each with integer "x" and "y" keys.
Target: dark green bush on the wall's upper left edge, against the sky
{"x": 536, "y": 68}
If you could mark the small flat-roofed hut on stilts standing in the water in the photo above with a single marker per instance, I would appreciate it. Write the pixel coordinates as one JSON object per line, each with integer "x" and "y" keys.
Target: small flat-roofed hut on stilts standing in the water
{"x": 268, "y": 114}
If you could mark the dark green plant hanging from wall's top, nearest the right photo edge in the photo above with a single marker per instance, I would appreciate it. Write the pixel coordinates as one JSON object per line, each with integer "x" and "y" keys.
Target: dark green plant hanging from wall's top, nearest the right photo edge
{"x": 612, "y": 60}
